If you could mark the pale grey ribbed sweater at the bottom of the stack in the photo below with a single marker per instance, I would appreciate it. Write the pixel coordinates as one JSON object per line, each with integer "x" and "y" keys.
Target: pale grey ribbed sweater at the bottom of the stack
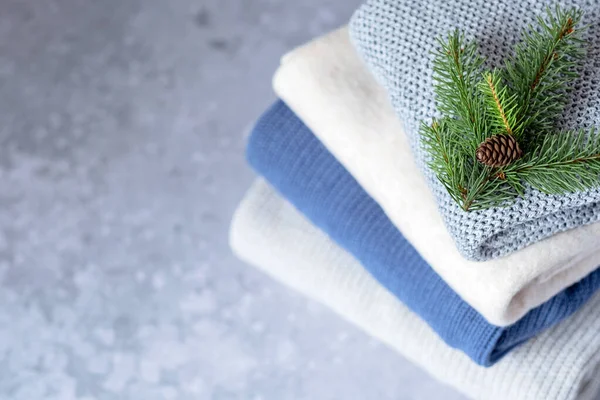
{"x": 560, "y": 364}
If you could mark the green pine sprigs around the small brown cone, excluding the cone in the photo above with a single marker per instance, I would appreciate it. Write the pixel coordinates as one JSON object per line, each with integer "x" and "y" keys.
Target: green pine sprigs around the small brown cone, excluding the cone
{"x": 523, "y": 99}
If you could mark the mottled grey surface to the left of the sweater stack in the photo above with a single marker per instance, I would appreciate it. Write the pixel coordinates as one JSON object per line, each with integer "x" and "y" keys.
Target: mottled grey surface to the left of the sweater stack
{"x": 121, "y": 162}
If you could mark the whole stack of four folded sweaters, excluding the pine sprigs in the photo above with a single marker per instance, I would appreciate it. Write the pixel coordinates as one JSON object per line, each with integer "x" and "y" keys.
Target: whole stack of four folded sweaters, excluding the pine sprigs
{"x": 498, "y": 303}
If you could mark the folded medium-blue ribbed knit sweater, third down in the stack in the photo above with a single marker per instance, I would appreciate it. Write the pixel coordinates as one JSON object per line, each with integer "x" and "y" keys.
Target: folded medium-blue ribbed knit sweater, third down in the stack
{"x": 289, "y": 156}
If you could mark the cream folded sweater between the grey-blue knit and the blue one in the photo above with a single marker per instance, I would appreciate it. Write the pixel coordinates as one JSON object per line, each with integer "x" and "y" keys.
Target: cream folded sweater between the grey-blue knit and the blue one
{"x": 326, "y": 84}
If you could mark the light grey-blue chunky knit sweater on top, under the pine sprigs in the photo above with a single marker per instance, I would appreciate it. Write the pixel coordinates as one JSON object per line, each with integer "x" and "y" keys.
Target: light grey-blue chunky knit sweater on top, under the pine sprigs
{"x": 396, "y": 39}
